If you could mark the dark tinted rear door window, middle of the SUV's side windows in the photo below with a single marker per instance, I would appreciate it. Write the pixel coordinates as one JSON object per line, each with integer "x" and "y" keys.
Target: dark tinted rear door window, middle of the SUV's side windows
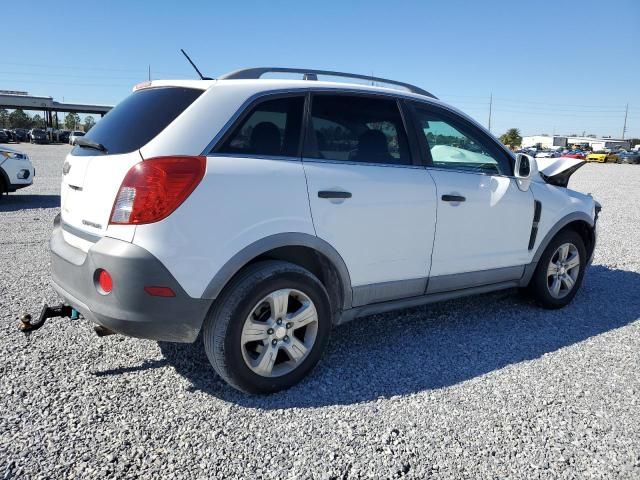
{"x": 357, "y": 129}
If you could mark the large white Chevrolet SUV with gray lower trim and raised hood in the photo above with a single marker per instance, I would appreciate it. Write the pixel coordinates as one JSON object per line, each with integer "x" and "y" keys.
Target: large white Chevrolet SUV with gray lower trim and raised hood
{"x": 261, "y": 213}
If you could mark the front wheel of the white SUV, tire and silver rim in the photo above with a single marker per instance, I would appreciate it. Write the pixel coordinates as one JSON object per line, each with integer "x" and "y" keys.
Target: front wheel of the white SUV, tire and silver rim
{"x": 542, "y": 283}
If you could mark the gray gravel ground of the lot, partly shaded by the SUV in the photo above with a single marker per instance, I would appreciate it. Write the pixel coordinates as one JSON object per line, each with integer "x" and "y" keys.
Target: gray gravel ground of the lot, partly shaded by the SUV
{"x": 484, "y": 387}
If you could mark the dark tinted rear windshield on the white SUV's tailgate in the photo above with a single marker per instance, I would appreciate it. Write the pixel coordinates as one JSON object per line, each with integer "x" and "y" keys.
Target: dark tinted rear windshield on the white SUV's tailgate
{"x": 139, "y": 118}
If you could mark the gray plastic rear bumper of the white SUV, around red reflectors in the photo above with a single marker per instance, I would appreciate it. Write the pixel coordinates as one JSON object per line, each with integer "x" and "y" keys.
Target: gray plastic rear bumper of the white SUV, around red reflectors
{"x": 128, "y": 309}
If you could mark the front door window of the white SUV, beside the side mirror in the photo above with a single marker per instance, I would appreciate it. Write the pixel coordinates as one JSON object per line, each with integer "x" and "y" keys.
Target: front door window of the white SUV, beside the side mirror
{"x": 453, "y": 146}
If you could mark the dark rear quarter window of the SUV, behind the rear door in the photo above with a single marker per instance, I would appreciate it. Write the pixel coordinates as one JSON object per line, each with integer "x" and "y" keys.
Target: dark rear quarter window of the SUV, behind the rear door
{"x": 271, "y": 128}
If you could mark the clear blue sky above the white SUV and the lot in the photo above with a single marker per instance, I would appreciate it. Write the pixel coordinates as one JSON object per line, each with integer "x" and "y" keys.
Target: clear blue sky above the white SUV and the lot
{"x": 552, "y": 66}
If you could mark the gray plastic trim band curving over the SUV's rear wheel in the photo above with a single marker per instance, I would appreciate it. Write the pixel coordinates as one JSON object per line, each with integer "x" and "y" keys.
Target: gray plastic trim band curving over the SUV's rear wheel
{"x": 290, "y": 239}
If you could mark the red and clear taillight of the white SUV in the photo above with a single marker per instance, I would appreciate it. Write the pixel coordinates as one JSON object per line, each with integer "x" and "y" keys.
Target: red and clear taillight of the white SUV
{"x": 154, "y": 188}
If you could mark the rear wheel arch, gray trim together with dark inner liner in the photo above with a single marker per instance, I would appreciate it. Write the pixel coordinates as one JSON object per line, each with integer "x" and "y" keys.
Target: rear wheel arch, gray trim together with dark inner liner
{"x": 307, "y": 251}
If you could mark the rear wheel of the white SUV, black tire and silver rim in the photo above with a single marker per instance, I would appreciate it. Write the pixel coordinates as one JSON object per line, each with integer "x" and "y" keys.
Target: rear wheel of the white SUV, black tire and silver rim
{"x": 247, "y": 301}
